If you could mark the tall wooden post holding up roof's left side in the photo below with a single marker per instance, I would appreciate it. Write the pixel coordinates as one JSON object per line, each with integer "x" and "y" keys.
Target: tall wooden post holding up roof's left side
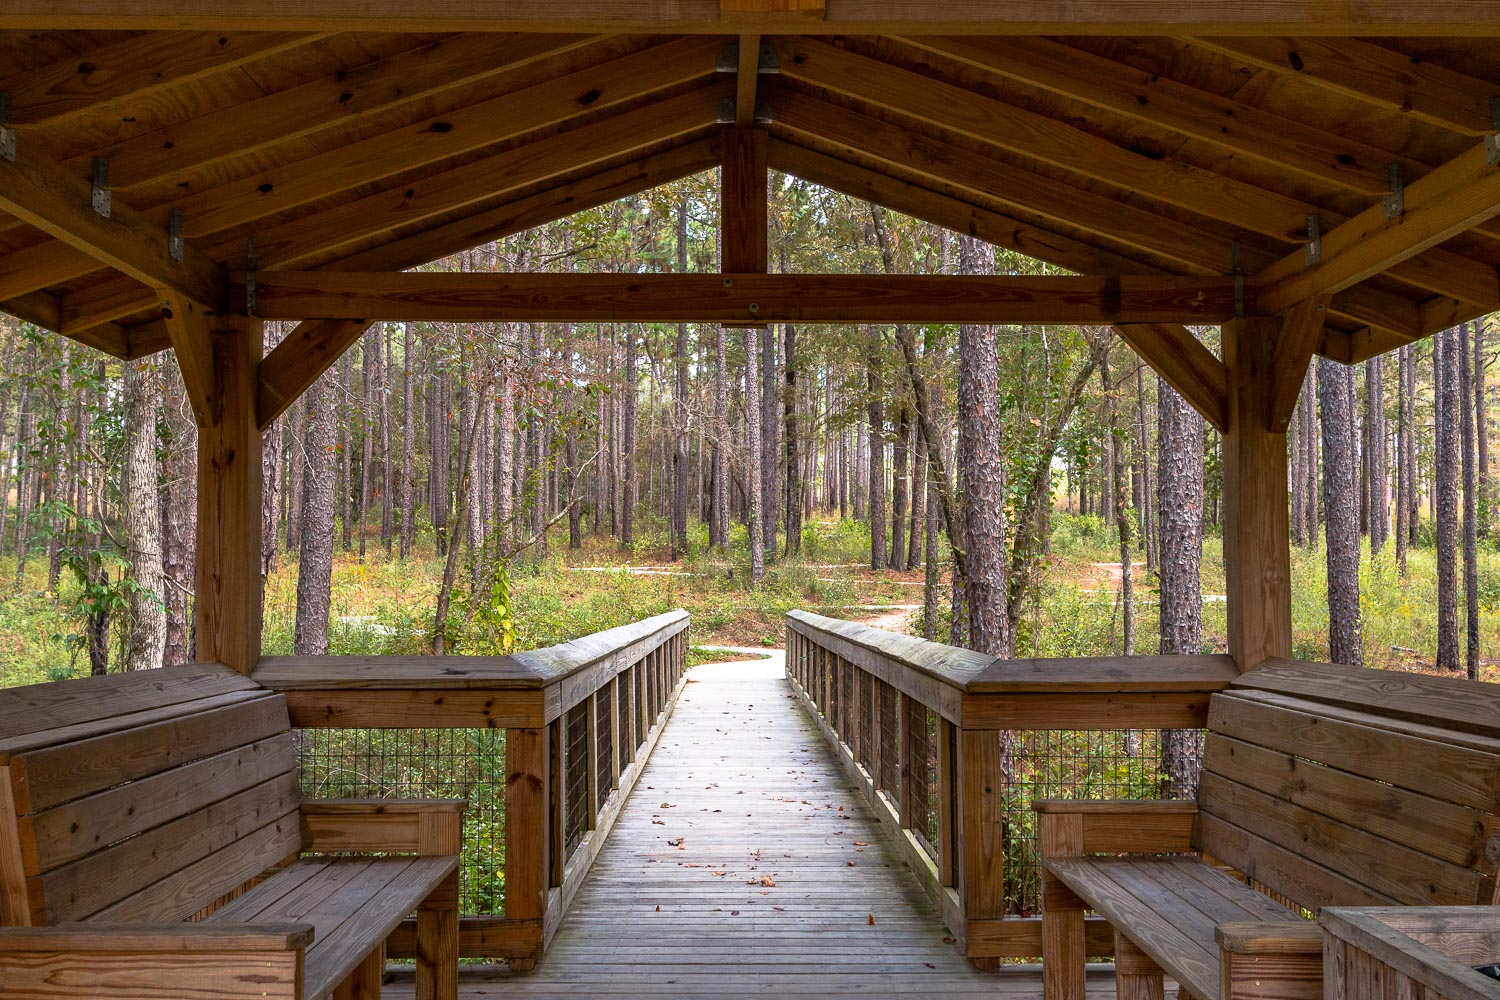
{"x": 227, "y": 605}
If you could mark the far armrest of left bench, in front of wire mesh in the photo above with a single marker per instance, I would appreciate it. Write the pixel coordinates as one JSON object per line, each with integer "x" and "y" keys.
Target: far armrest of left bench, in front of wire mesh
{"x": 424, "y": 827}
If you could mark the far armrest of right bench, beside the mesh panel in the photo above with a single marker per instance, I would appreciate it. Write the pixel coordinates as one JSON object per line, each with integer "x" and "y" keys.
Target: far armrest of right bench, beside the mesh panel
{"x": 1072, "y": 828}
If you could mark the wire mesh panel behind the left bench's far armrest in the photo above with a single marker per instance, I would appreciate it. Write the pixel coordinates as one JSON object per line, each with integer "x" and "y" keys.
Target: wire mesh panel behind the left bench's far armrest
{"x": 424, "y": 764}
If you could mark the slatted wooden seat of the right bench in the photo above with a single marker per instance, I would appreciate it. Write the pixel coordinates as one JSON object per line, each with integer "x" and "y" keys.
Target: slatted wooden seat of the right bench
{"x": 1171, "y": 908}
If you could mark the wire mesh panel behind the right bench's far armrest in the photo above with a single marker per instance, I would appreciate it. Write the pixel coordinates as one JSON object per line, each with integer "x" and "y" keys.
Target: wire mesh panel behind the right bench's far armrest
{"x": 1103, "y": 764}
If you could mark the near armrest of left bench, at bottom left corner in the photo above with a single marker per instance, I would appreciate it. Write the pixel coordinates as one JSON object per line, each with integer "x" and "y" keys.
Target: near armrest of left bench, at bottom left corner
{"x": 155, "y": 938}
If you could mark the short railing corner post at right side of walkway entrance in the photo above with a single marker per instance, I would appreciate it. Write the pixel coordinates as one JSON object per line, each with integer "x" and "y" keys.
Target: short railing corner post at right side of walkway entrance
{"x": 982, "y": 813}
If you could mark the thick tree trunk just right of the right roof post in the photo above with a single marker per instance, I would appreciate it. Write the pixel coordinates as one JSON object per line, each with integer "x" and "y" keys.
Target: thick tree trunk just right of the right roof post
{"x": 1342, "y": 510}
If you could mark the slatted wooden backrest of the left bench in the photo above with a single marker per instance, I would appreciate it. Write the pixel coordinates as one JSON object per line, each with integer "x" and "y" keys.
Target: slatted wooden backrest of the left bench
{"x": 142, "y": 797}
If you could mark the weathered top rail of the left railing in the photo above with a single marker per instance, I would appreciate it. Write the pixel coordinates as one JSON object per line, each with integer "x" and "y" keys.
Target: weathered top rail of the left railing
{"x": 535, "y": 669}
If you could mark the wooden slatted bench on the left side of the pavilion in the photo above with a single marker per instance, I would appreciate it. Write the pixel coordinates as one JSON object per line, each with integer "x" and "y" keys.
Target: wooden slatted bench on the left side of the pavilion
{"x": 134, "y": 803}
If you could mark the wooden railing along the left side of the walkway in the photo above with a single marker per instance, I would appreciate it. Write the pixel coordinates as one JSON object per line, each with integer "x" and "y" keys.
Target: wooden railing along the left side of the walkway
{"x": 580, "y": 722}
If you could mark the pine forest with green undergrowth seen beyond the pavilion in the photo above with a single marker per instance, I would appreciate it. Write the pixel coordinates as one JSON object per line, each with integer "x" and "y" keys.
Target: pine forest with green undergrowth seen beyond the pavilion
{"x": 487, "y": 488}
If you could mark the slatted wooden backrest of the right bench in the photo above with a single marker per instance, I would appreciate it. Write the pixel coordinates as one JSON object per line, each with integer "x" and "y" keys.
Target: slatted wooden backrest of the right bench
{"x": 1342, "y": 786}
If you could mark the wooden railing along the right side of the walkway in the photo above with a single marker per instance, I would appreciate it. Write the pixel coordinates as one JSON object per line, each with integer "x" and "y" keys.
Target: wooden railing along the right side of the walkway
{"x": 950, "y": 746}
